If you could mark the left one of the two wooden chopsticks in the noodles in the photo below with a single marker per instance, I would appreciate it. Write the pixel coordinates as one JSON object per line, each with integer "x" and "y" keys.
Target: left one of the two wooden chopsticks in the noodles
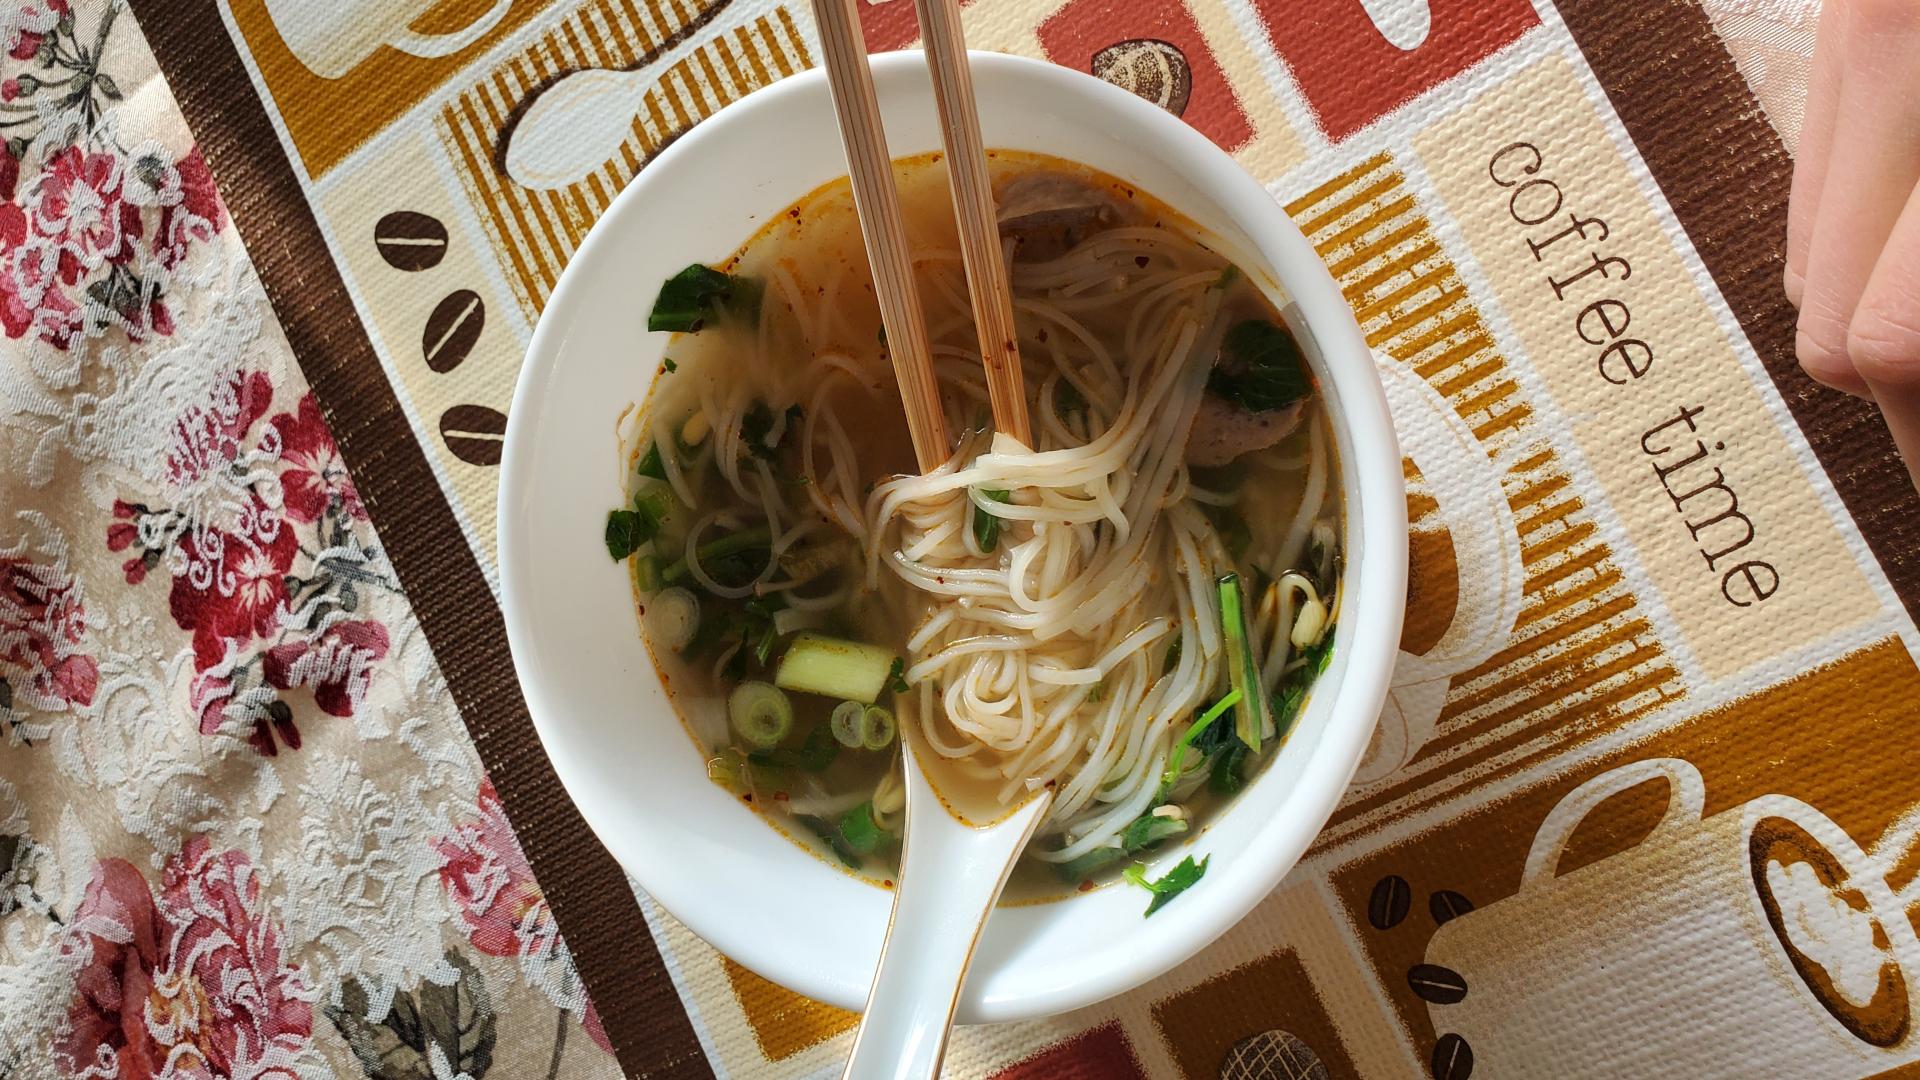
{"x": 878, "y": 203}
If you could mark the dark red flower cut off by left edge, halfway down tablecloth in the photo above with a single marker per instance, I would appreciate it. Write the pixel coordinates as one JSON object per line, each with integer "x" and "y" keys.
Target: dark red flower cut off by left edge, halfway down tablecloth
{"x": 41, "y": 629}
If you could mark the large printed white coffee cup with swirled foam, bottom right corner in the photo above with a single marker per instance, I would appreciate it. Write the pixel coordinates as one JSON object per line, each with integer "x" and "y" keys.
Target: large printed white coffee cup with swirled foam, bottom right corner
{"x": 1760, "y": 935}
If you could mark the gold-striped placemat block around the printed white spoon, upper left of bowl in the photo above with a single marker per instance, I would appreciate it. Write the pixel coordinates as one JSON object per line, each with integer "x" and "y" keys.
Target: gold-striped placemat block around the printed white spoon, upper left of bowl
{"x": 537, "y": 232}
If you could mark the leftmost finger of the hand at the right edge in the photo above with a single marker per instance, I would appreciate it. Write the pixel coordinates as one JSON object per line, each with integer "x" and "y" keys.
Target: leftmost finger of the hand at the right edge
{"x": 1873, "y": 168}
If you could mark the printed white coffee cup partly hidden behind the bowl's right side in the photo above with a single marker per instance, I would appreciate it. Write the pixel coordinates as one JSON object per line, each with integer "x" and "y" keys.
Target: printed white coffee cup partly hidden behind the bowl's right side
{"x": 1477, "y": 522}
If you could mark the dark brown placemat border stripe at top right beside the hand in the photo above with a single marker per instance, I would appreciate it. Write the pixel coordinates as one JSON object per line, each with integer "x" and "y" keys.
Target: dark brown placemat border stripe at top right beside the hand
{"x": 1727, "y": 176}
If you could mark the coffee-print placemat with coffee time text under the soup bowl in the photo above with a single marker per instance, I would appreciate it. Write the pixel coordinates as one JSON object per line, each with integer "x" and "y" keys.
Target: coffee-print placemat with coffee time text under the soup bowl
{"x": 1643, "y": 795}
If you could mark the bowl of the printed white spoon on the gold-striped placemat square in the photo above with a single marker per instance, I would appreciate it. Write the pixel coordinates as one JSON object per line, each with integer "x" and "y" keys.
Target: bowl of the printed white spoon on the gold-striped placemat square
{"x": 575, "y": 126}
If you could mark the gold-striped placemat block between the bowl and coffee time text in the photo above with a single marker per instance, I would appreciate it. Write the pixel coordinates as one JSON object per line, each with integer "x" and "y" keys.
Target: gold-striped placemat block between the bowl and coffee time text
{"x": 1583, "y": 658}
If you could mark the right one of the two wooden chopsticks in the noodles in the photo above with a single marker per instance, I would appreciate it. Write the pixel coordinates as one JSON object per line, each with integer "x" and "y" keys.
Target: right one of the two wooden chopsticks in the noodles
{"x": 980, "y": 230}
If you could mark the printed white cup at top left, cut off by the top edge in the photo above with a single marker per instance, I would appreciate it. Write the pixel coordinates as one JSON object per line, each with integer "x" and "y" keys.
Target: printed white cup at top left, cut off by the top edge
{"x": 333, "y": 37}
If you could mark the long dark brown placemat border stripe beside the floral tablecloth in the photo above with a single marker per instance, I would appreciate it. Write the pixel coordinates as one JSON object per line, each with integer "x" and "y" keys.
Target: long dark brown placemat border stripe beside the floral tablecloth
{"x": 590, "y": 896}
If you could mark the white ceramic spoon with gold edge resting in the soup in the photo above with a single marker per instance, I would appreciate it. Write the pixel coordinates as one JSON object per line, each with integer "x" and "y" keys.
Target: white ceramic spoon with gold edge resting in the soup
{"x": 951, "y": 875}
